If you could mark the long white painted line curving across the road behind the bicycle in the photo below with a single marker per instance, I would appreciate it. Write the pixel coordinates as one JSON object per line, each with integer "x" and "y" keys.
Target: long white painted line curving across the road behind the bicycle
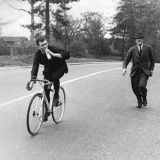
{"x": 73, "y": 80}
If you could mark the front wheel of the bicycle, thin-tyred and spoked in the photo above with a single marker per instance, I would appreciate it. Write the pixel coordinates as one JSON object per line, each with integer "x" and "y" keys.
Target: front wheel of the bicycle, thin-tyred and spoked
{"x": 35, "y": 114}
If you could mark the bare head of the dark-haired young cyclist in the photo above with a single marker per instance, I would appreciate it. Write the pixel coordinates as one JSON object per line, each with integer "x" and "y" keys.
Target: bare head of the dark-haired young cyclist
{"x": 42, "y": 44}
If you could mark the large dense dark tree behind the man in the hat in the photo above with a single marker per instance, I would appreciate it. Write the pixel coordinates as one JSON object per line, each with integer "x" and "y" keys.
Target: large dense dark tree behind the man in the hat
{"x": 134, "y": 16}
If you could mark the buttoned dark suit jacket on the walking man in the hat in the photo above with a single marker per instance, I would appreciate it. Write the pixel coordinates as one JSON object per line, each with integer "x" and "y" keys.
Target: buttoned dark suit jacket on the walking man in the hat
{"x": 145, "y": 62}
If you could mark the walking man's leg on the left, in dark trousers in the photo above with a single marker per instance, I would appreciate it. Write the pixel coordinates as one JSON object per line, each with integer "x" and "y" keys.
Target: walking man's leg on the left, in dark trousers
{"x": 136, "y": 89}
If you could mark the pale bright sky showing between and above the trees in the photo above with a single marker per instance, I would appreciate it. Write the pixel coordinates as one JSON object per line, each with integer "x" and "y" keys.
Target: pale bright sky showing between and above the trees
{"x": 17, "y": 18}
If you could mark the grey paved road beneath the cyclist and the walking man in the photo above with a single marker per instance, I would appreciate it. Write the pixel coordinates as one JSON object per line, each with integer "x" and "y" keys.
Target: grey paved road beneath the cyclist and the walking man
{"x": 101, "y": 121}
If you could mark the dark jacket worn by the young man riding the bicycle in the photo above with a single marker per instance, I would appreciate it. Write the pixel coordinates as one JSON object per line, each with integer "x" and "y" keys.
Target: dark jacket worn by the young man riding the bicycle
{"x": 50, "y": 65}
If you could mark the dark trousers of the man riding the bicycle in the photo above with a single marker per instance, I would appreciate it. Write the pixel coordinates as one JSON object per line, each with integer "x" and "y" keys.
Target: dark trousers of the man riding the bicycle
{"x": 54, "y": 77}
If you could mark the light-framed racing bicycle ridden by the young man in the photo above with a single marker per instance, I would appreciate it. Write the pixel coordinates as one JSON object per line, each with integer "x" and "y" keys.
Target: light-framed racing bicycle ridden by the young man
{"x": 36, "y": 108}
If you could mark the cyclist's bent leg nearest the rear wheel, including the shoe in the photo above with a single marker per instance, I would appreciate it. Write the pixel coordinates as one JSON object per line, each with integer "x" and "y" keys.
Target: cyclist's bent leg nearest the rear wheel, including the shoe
{"x": 56, "y": 79}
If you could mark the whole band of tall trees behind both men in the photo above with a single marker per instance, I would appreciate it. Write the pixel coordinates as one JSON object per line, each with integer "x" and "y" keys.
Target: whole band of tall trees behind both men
{"x": 87, "y": 34}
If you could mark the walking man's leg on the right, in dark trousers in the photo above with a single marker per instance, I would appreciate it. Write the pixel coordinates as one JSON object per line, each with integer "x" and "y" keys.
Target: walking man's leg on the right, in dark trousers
{"x": 143, "y": 87}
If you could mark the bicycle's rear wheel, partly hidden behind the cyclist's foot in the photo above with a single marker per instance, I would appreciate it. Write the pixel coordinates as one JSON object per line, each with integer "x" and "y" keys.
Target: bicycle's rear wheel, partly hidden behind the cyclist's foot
{"x": 58, "y": 111}
